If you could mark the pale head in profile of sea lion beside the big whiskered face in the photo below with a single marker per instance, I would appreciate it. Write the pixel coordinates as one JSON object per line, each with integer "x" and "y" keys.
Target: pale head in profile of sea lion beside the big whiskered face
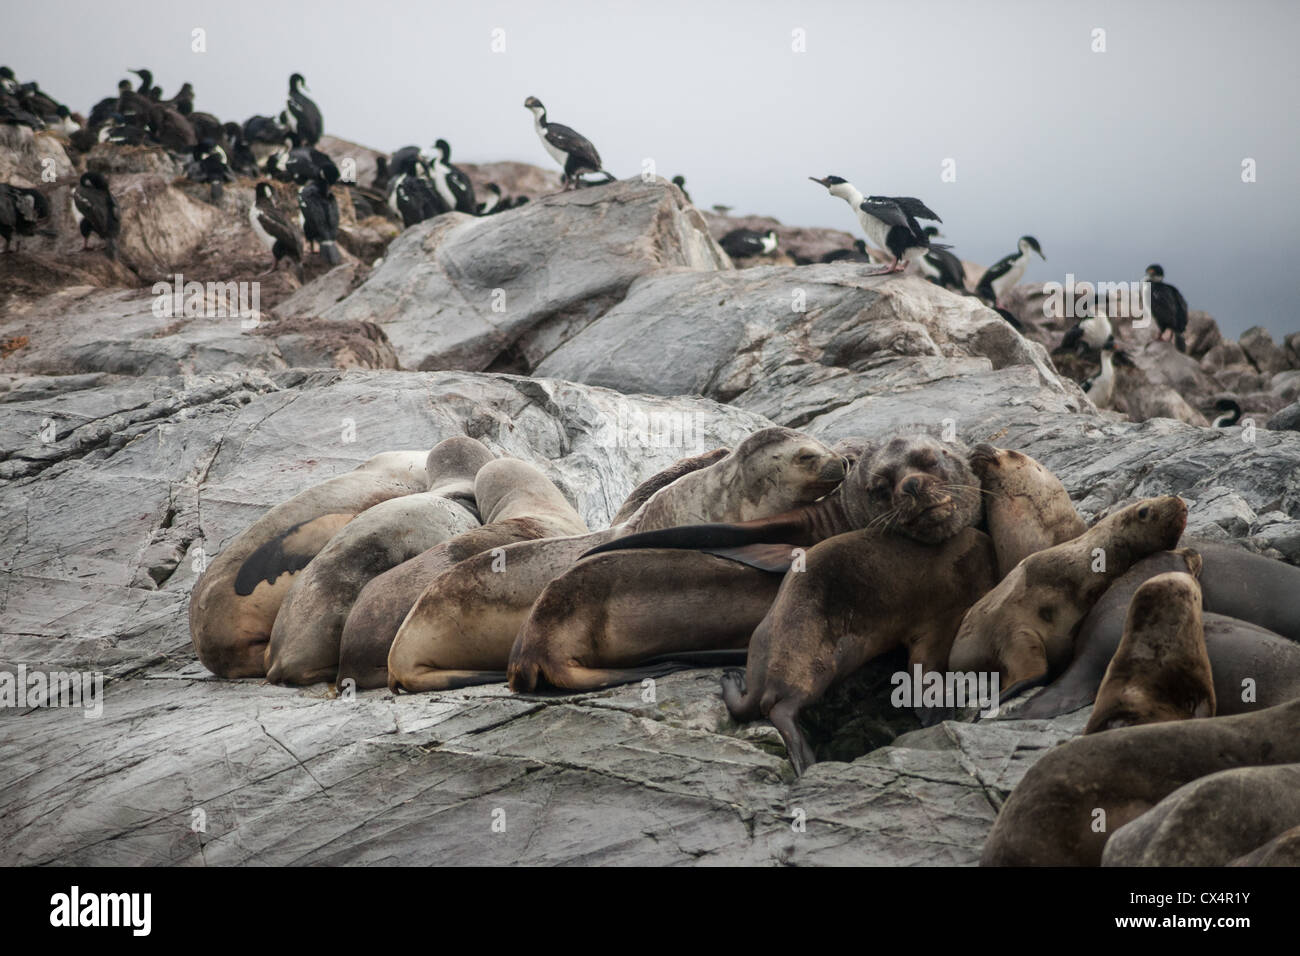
{"x": 785, "y": 469}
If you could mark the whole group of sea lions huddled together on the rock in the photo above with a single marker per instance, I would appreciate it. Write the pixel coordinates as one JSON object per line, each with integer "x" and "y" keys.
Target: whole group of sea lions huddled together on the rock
{"x": 432, "y": 572}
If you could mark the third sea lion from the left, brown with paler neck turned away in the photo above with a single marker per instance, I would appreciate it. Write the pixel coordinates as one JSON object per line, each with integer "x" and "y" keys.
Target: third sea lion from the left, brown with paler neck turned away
{"x": 518, "y": 504}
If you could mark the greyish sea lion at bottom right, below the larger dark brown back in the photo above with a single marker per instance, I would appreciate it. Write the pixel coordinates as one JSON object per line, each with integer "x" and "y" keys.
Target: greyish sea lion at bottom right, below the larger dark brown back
{"x": 1211, "y": 821}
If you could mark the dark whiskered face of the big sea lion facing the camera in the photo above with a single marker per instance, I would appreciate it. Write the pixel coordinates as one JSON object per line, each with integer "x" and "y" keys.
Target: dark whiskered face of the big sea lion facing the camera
{"x": 915, "y": 486}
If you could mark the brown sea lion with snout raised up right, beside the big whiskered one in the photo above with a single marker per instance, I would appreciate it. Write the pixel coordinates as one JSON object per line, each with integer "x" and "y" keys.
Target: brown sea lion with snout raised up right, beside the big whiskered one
{"x": 1026, "y": 625}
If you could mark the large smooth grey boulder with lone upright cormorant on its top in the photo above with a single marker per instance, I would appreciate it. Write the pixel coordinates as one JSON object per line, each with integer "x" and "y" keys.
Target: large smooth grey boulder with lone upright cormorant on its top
{"x": 500, "y": 293}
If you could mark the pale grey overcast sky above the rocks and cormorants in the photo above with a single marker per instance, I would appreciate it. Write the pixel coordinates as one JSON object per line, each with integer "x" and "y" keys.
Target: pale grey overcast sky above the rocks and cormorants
{"x": 1112, "y": 159}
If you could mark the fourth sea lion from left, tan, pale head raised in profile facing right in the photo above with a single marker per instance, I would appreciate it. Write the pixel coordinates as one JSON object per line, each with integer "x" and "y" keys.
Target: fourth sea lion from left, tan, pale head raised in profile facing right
{"x": 463, "y": 626}
